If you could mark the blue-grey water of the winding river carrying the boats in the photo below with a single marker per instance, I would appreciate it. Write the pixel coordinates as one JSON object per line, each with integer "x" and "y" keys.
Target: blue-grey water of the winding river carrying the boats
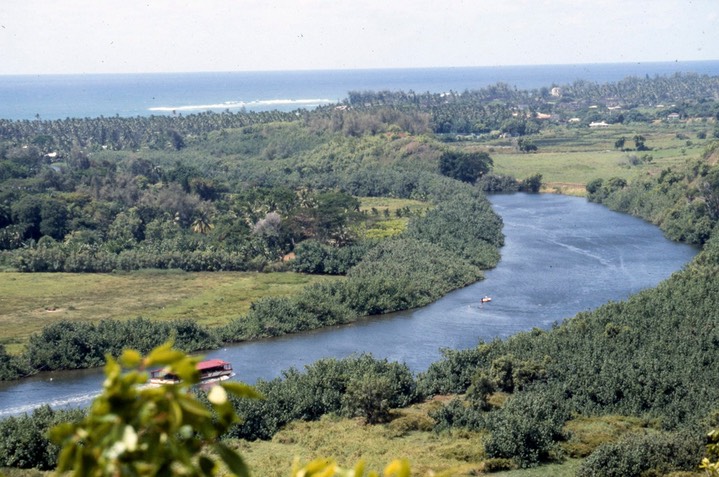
{"x": 562, "y": 255}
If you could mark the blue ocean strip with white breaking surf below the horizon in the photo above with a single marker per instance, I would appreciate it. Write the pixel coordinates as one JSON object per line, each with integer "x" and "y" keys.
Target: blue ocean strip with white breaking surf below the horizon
{"x": 29, "y": 97}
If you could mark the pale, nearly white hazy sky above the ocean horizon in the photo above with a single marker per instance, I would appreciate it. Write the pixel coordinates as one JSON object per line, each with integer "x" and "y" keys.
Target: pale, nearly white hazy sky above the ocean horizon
{"x": 149, "y": 36}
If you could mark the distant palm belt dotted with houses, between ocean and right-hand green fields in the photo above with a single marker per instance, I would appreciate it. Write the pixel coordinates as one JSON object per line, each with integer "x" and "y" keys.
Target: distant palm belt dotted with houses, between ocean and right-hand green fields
{"x": 501, "y": 109}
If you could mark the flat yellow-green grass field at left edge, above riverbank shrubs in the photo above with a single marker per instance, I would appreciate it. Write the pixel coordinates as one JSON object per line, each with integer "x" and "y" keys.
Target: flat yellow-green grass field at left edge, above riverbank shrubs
{"x": 31, "y": 301}
